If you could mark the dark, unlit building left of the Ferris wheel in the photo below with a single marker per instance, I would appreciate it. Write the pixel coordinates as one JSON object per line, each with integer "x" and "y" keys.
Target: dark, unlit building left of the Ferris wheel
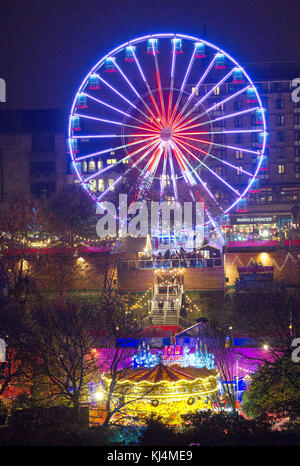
{"x": 33, "y": 162}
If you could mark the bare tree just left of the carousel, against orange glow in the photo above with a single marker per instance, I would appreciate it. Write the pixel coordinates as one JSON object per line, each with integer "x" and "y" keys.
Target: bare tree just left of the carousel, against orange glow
{"x": 63, "y": 365}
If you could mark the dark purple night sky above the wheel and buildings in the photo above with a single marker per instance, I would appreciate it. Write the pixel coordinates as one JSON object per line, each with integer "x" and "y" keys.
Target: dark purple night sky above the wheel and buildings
{"x": 49, "y": 45}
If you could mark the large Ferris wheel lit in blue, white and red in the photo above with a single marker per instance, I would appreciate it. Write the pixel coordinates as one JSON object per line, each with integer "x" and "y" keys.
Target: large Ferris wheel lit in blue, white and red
{"x": 168, "y": 116}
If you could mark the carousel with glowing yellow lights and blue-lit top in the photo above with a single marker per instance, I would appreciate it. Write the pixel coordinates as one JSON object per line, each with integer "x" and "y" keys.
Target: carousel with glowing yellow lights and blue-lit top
{"x": 164, "y": 385}
